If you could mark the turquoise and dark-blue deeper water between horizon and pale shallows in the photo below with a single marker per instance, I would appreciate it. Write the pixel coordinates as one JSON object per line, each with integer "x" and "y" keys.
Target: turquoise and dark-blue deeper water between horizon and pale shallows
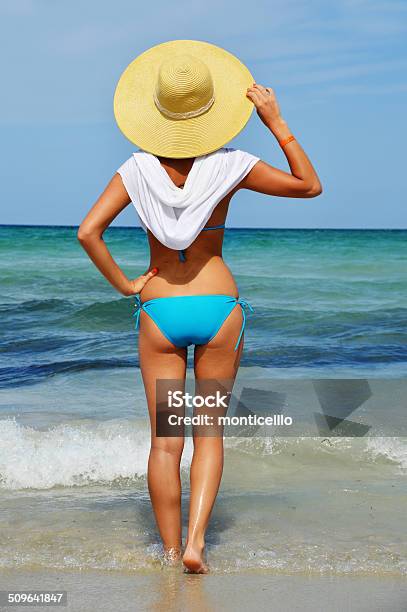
{"x": 322, "y": 299}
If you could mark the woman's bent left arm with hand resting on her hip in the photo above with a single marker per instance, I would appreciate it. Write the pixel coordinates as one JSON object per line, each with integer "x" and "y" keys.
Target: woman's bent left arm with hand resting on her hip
{"x": 112, "y": 201}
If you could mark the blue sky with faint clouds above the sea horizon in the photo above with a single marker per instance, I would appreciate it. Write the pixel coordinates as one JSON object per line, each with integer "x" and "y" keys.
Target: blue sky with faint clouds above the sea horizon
{"x": 338, "y": 70}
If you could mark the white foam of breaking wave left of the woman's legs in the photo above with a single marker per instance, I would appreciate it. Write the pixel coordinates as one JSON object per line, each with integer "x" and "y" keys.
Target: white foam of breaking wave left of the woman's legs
{"x": 71, "y": 454}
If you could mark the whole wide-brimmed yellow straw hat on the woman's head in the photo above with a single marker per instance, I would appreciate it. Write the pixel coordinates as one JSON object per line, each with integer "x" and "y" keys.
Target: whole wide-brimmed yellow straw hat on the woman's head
{"x": 183, "y": 98}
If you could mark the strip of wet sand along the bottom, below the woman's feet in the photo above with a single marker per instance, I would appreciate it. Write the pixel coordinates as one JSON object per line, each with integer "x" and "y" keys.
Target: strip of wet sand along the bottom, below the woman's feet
{"x": 171, "y": 590}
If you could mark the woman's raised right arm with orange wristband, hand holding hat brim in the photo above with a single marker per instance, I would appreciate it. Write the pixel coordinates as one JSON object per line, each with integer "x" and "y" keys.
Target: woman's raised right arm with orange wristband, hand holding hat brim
{"x": 303, "y": 182}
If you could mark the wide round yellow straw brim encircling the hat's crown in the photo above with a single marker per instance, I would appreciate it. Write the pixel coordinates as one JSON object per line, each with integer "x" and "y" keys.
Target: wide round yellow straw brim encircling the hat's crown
{"x": 144, "y": 125}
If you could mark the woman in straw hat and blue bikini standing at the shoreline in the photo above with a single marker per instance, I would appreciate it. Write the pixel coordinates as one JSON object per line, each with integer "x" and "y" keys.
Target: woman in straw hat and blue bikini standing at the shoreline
{"x": 175, "y": 103}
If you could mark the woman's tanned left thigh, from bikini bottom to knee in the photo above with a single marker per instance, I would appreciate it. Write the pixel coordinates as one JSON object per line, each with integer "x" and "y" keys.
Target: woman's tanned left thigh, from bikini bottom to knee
{"x": 160, "y": 361}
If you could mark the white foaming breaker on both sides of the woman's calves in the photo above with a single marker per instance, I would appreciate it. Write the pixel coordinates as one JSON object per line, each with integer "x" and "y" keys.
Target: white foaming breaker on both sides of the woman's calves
{"x": 79, "y": 454}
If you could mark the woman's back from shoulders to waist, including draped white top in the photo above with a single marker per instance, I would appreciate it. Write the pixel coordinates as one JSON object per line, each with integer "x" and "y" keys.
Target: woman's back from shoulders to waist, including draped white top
{"x": 182, "y": 204}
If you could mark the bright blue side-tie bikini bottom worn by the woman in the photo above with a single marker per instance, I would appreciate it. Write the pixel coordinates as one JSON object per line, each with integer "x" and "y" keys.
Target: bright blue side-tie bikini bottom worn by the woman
{"x": 191, "y": 319}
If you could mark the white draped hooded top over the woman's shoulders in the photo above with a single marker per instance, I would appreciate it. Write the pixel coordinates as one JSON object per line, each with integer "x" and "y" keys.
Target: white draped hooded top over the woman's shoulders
{"x": 176, "y": 216}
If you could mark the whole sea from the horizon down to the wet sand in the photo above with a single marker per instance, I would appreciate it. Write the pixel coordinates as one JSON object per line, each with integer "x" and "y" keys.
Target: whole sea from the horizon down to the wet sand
{"x": 328, "y": 305}
